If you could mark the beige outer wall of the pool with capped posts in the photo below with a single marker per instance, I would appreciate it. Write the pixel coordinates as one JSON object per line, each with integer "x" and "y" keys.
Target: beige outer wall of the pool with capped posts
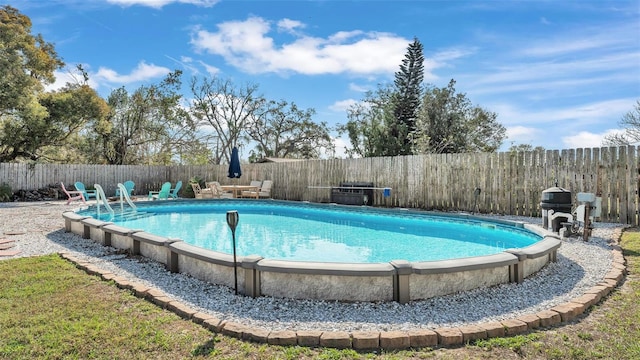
{"x": 397, "y": 280}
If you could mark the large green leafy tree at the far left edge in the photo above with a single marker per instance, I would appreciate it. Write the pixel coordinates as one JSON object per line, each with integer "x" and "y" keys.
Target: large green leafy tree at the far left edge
{"x": 35, "y": 125}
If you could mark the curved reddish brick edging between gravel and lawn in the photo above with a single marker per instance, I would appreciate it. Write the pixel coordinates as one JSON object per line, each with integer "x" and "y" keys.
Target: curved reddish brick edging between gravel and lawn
{"x": 373, "y": 340}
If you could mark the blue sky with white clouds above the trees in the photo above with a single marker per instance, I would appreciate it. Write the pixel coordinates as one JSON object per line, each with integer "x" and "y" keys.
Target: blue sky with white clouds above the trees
{"x": 559, "y": 74}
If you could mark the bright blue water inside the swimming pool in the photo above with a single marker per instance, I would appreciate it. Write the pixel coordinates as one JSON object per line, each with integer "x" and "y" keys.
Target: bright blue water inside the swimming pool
{"x": 312, "y": 232}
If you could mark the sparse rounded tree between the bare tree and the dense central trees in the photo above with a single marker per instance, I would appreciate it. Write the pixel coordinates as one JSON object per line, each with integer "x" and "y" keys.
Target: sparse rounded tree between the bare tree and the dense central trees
{"x": 285, "y": 131}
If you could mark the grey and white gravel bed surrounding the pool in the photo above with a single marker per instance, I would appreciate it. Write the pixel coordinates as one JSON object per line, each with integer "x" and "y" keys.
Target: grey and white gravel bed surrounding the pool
{"x": 38, "y": 229}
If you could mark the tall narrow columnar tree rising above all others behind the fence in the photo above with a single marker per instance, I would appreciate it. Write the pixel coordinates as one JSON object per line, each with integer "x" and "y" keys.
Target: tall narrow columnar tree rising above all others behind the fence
{"x": 408, "y": 83}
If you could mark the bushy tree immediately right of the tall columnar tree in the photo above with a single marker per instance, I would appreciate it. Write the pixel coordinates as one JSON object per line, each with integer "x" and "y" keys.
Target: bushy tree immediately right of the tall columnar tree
{"x": 449, "y": 123}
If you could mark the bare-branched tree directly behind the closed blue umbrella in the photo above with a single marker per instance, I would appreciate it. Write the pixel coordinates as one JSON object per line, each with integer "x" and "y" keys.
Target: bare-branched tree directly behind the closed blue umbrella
{"x": 226, "y": 109}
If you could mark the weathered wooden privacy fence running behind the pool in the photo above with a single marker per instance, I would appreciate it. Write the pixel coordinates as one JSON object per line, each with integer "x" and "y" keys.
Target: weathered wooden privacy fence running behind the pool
{"x": 510, "y": 183}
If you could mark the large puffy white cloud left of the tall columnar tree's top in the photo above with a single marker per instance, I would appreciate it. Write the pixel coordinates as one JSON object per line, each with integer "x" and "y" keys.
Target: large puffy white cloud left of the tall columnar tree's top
{"x": 248, "y": 46}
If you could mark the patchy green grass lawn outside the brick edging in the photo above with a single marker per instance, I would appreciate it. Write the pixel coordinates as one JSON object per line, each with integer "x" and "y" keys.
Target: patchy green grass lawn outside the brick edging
{"x": 51, "y": 310}
